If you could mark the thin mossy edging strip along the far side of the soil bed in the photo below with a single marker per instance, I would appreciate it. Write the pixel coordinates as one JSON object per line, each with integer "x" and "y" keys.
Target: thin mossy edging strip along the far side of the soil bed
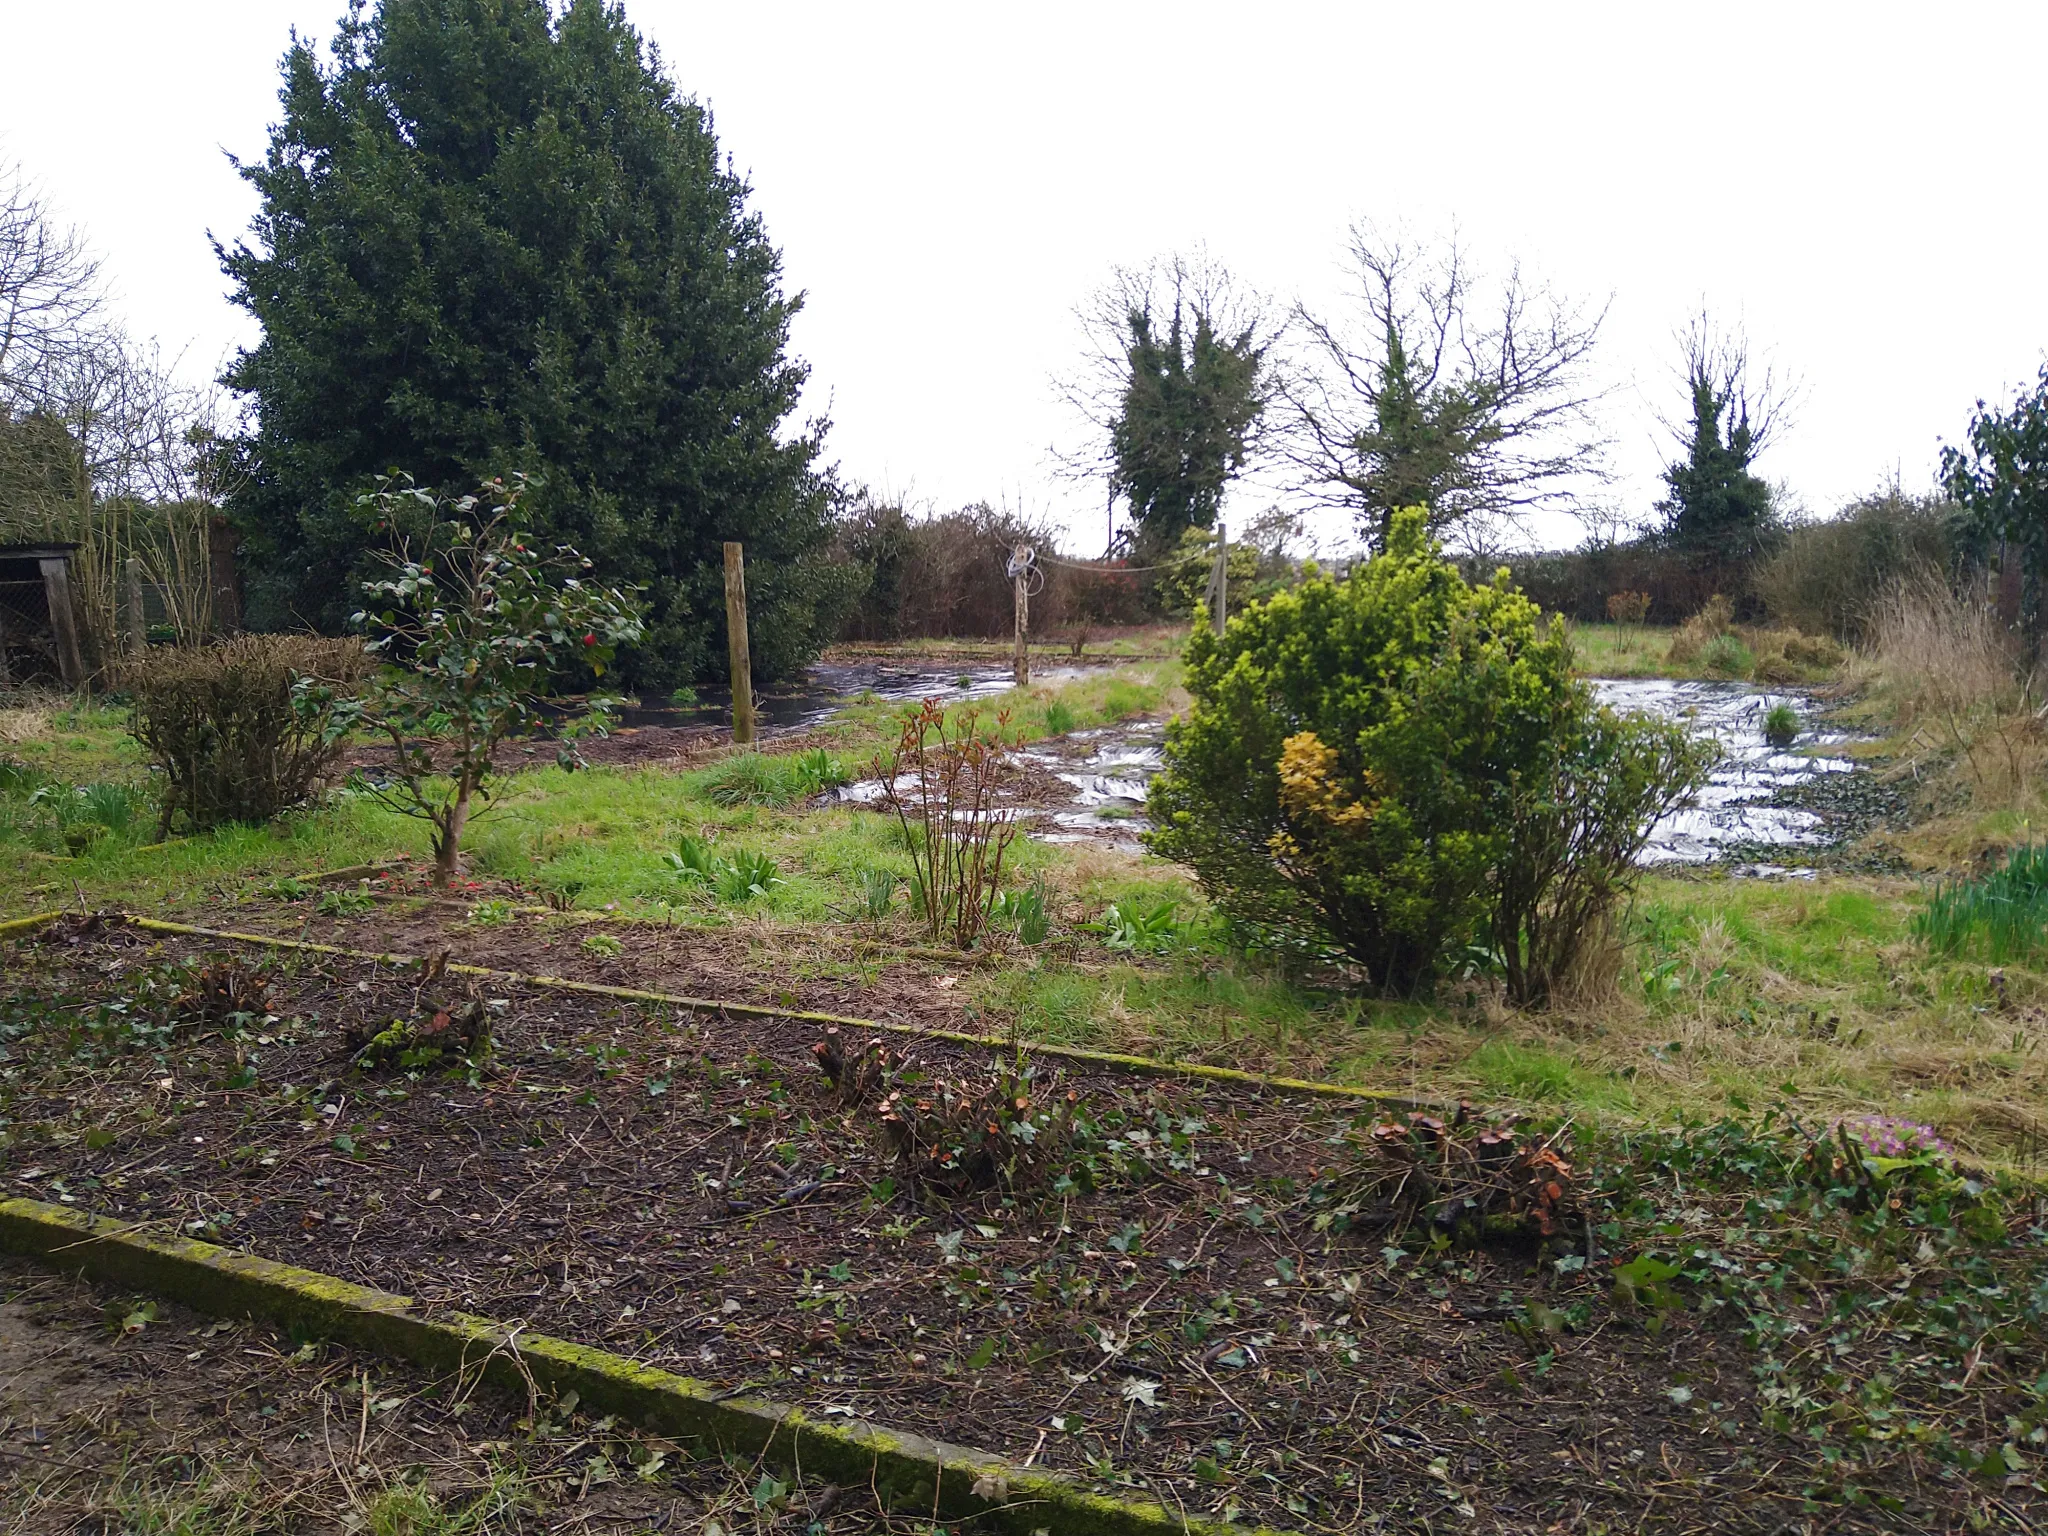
{"x": 1080, "y": 1056}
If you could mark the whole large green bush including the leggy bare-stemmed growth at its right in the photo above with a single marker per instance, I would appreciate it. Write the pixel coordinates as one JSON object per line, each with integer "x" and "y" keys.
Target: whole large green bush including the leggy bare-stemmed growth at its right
{"x": 1402, "y": 765}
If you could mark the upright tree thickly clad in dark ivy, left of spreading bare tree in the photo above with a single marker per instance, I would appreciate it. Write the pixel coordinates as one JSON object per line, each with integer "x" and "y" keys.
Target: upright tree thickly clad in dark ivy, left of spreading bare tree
{"x": 1181, "y": 433}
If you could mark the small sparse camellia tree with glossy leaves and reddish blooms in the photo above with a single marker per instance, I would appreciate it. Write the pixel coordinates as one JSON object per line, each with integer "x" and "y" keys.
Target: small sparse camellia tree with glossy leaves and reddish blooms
{"x": 474, "y": 620}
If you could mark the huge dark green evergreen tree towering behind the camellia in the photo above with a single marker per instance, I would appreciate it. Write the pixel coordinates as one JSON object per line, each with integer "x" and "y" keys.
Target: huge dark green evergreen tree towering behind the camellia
{"x": 495, "y": 237}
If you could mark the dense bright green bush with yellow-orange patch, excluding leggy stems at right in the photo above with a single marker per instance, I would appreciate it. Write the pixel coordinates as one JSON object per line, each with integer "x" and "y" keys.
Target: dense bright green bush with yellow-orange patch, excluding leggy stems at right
{"x": 1347, "y": 749}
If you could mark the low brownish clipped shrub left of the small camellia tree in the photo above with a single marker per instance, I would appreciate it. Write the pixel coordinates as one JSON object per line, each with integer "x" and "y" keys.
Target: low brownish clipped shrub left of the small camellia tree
{"x": 241, "y": 730}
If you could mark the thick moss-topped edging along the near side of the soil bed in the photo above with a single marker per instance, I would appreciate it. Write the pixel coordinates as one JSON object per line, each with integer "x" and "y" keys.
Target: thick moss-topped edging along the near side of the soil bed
{"x": 908, "y": 1471}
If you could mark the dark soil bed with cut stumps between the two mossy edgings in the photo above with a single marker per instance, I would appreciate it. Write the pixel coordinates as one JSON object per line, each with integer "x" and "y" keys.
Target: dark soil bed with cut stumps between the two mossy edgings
{"x": 1179, "y": 1299}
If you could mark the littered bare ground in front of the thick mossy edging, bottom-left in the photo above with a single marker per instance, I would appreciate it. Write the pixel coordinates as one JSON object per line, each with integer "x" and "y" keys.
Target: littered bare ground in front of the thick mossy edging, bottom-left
{"x": 122, "y": 1414}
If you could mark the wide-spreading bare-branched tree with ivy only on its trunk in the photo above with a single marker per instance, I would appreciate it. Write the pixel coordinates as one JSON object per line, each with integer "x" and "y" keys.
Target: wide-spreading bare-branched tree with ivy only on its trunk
{"x": 1445, "y": 390}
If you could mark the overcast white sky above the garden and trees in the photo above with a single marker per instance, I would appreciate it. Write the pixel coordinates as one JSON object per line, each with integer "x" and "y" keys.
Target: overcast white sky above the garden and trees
{"x": 1857, "y": 183}
